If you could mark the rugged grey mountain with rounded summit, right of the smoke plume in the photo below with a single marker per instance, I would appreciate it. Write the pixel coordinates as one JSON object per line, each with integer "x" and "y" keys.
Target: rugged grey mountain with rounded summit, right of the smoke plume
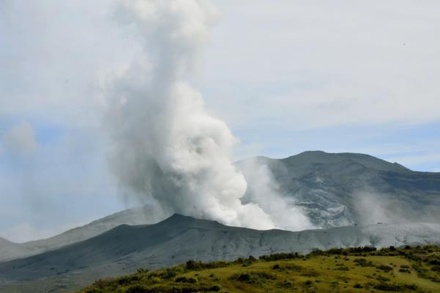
{"x": 347, "y": 189}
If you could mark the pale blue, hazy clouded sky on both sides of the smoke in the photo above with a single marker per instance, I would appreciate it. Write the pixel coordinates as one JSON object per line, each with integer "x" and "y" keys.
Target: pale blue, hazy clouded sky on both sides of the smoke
{"x": 287, "y": 76}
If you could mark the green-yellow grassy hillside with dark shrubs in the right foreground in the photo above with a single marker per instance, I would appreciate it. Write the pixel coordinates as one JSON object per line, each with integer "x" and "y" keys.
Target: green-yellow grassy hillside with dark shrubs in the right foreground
{"x": 408, "y": 269}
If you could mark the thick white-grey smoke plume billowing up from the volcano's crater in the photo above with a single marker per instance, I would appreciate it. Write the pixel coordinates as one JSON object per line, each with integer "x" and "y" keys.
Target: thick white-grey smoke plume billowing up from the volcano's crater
{"x": 165, "y": 146}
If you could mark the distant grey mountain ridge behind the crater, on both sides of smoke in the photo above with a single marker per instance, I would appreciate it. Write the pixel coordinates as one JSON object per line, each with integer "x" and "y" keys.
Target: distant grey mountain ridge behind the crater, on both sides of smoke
{"x": 332, "y": 189}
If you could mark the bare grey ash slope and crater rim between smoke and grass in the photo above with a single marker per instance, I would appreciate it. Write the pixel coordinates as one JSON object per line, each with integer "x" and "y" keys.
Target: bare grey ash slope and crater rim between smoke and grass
{"x": 179, "y": 238}
